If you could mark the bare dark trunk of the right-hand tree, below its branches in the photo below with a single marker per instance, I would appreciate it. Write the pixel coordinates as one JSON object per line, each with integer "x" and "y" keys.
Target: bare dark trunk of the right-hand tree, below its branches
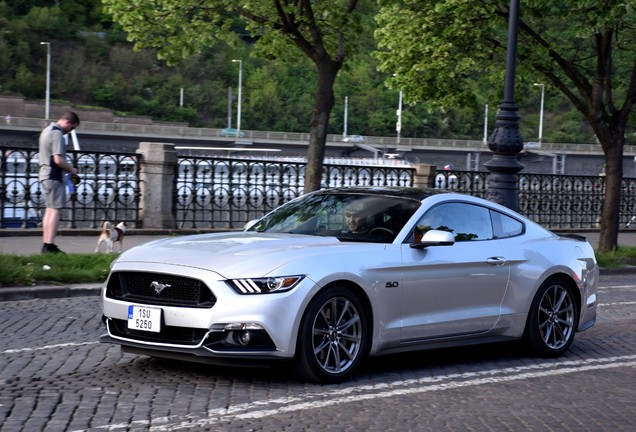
{"x": 610, "y": 215}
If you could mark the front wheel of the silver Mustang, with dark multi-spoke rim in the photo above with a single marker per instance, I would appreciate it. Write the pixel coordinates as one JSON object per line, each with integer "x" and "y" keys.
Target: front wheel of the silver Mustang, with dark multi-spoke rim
{"x": 333, "y": 337}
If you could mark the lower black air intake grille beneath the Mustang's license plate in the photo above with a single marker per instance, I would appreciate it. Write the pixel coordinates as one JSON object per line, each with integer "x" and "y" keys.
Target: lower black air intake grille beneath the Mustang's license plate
{"x": 168, "y": 334}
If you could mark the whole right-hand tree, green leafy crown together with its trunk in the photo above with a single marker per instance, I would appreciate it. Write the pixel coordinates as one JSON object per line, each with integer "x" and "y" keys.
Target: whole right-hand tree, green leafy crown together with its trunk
{"x": 442, "y": 51}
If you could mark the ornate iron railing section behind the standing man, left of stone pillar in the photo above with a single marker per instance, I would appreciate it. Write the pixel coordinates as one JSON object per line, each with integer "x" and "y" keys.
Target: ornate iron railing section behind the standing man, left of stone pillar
{"x": 109, "y": 189}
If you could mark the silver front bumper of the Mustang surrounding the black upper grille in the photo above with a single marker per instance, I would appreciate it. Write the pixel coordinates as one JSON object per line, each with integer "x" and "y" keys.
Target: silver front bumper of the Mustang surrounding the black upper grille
{"x": 235, "y": 326}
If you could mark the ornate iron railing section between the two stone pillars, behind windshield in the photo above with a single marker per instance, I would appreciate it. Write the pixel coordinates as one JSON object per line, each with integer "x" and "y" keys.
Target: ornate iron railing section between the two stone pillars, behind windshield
{"x": 226, "y": 193}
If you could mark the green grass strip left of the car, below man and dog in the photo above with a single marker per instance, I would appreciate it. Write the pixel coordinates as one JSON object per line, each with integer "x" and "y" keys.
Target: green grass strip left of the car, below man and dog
{"x": 54, "y": 268}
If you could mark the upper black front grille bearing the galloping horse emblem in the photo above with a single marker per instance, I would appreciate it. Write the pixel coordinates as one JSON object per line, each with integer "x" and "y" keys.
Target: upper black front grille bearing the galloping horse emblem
{"x": 159, "y": 289}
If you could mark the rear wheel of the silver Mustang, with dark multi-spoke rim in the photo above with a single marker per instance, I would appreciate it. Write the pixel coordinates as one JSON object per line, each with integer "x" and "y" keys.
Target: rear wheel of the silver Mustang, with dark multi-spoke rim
{"x": 552, "y": 320}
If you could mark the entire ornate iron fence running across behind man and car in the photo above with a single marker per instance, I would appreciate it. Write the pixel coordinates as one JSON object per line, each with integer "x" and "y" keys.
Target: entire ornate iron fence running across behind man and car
{"x": 225, "y": 193}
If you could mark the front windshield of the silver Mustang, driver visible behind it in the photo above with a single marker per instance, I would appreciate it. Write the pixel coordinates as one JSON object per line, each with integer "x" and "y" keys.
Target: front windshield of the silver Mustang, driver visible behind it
{"x": 349, "y": 217}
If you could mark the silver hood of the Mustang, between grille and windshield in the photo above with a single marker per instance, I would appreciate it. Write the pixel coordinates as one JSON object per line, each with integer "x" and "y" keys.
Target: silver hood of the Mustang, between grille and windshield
{"x": 238, "y": 254}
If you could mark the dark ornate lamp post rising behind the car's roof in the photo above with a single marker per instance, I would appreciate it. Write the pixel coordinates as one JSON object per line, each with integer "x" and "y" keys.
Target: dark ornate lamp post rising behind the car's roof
{"x": 505, "y": 141}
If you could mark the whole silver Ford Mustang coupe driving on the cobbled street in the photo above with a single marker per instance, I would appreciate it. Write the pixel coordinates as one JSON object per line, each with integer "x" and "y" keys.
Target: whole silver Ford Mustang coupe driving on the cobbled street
{"x": 340, "y": 274}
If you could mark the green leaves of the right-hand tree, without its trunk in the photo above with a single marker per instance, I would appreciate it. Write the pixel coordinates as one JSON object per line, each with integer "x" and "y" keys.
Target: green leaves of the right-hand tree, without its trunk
{"x": 451, "y": 53}
